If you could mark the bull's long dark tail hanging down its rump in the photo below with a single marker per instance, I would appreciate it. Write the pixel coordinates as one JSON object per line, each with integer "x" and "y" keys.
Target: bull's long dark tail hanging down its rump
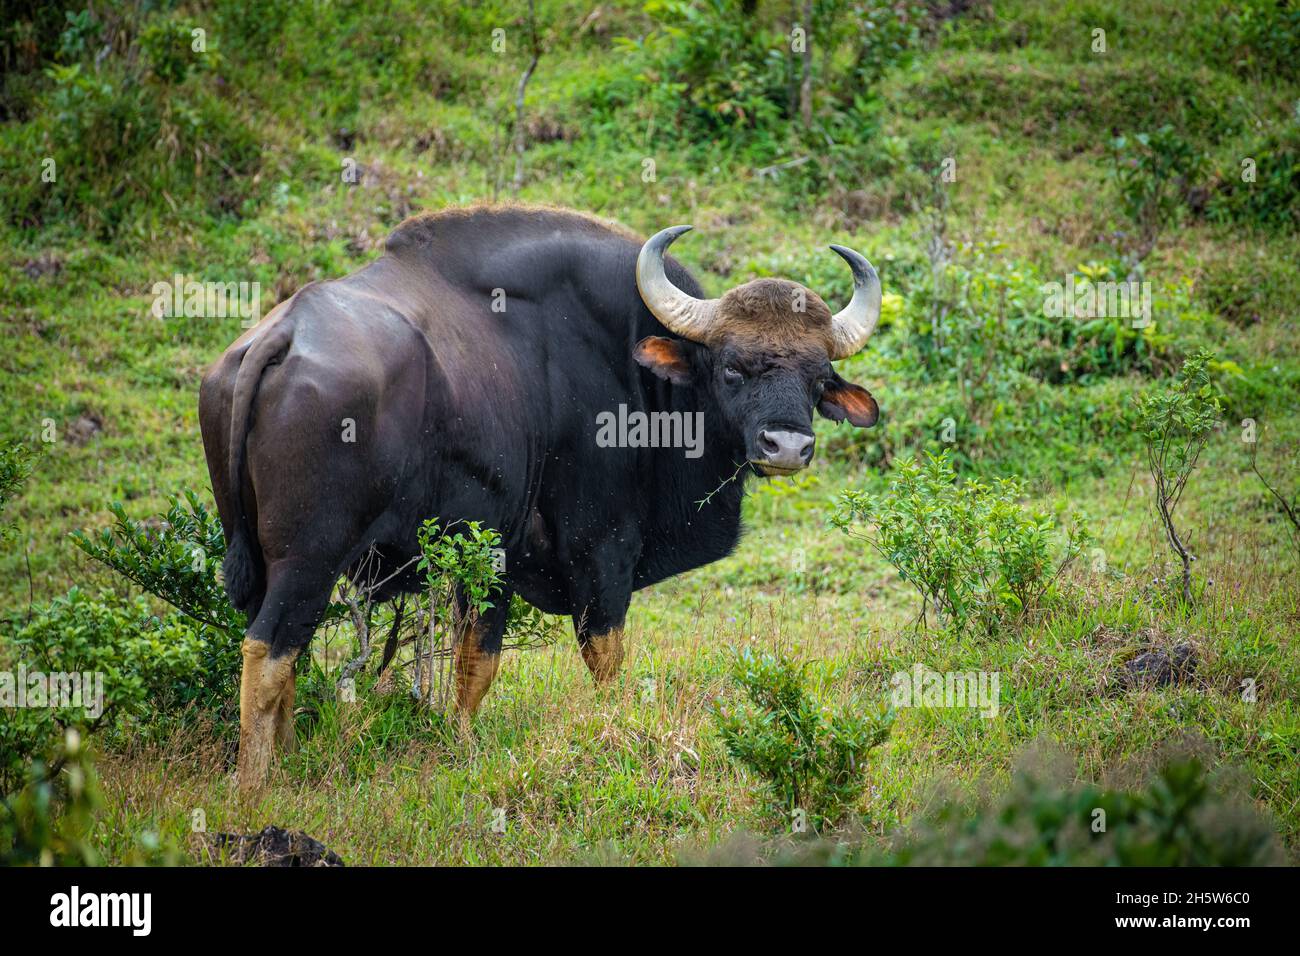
{"x": 244, "y": 569}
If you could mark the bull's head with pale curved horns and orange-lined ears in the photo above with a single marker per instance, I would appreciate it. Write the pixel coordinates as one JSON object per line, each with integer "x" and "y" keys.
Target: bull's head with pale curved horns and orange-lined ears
{"x": 765, "y": 349}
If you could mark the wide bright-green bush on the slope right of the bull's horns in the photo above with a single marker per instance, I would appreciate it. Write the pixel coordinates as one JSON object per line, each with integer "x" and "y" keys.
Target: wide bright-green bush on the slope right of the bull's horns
{"x": 983, "y": 357}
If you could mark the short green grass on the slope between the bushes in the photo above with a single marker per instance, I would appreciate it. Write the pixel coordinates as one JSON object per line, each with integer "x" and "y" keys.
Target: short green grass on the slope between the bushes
{"x": 638, "y": 773}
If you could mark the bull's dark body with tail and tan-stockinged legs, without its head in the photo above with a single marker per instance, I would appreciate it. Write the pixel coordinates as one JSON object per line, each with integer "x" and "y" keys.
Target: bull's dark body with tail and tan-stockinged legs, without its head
{"x": 461, "y": 378}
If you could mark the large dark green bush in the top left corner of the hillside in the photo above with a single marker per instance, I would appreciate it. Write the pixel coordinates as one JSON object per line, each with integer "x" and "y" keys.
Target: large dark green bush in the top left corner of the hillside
{"x": 135, "y": 128}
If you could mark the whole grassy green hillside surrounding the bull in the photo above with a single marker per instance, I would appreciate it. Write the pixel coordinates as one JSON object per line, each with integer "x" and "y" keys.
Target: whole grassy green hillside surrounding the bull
{"x": 229, "y": 166}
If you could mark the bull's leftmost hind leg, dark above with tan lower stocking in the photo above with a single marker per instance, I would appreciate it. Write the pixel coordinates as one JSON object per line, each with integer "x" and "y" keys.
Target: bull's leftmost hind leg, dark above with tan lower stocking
{"x": 293, "y": 608}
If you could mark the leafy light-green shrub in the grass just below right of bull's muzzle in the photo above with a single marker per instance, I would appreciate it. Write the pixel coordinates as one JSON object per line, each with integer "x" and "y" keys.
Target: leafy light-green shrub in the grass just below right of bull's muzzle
{"x": 973, "y": 553}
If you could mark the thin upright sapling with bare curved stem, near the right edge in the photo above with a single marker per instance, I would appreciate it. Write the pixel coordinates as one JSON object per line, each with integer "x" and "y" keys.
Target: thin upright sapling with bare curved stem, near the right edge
{"x": 1176, "y": 422}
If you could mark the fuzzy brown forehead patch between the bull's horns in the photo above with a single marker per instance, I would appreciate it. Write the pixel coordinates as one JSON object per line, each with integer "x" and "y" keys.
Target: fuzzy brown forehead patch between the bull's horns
{"x": 774, "y": 315}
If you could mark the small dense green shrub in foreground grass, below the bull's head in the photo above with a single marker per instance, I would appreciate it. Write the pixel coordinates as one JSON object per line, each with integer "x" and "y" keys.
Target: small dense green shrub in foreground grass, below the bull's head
{"x": 812, "y": 762}
